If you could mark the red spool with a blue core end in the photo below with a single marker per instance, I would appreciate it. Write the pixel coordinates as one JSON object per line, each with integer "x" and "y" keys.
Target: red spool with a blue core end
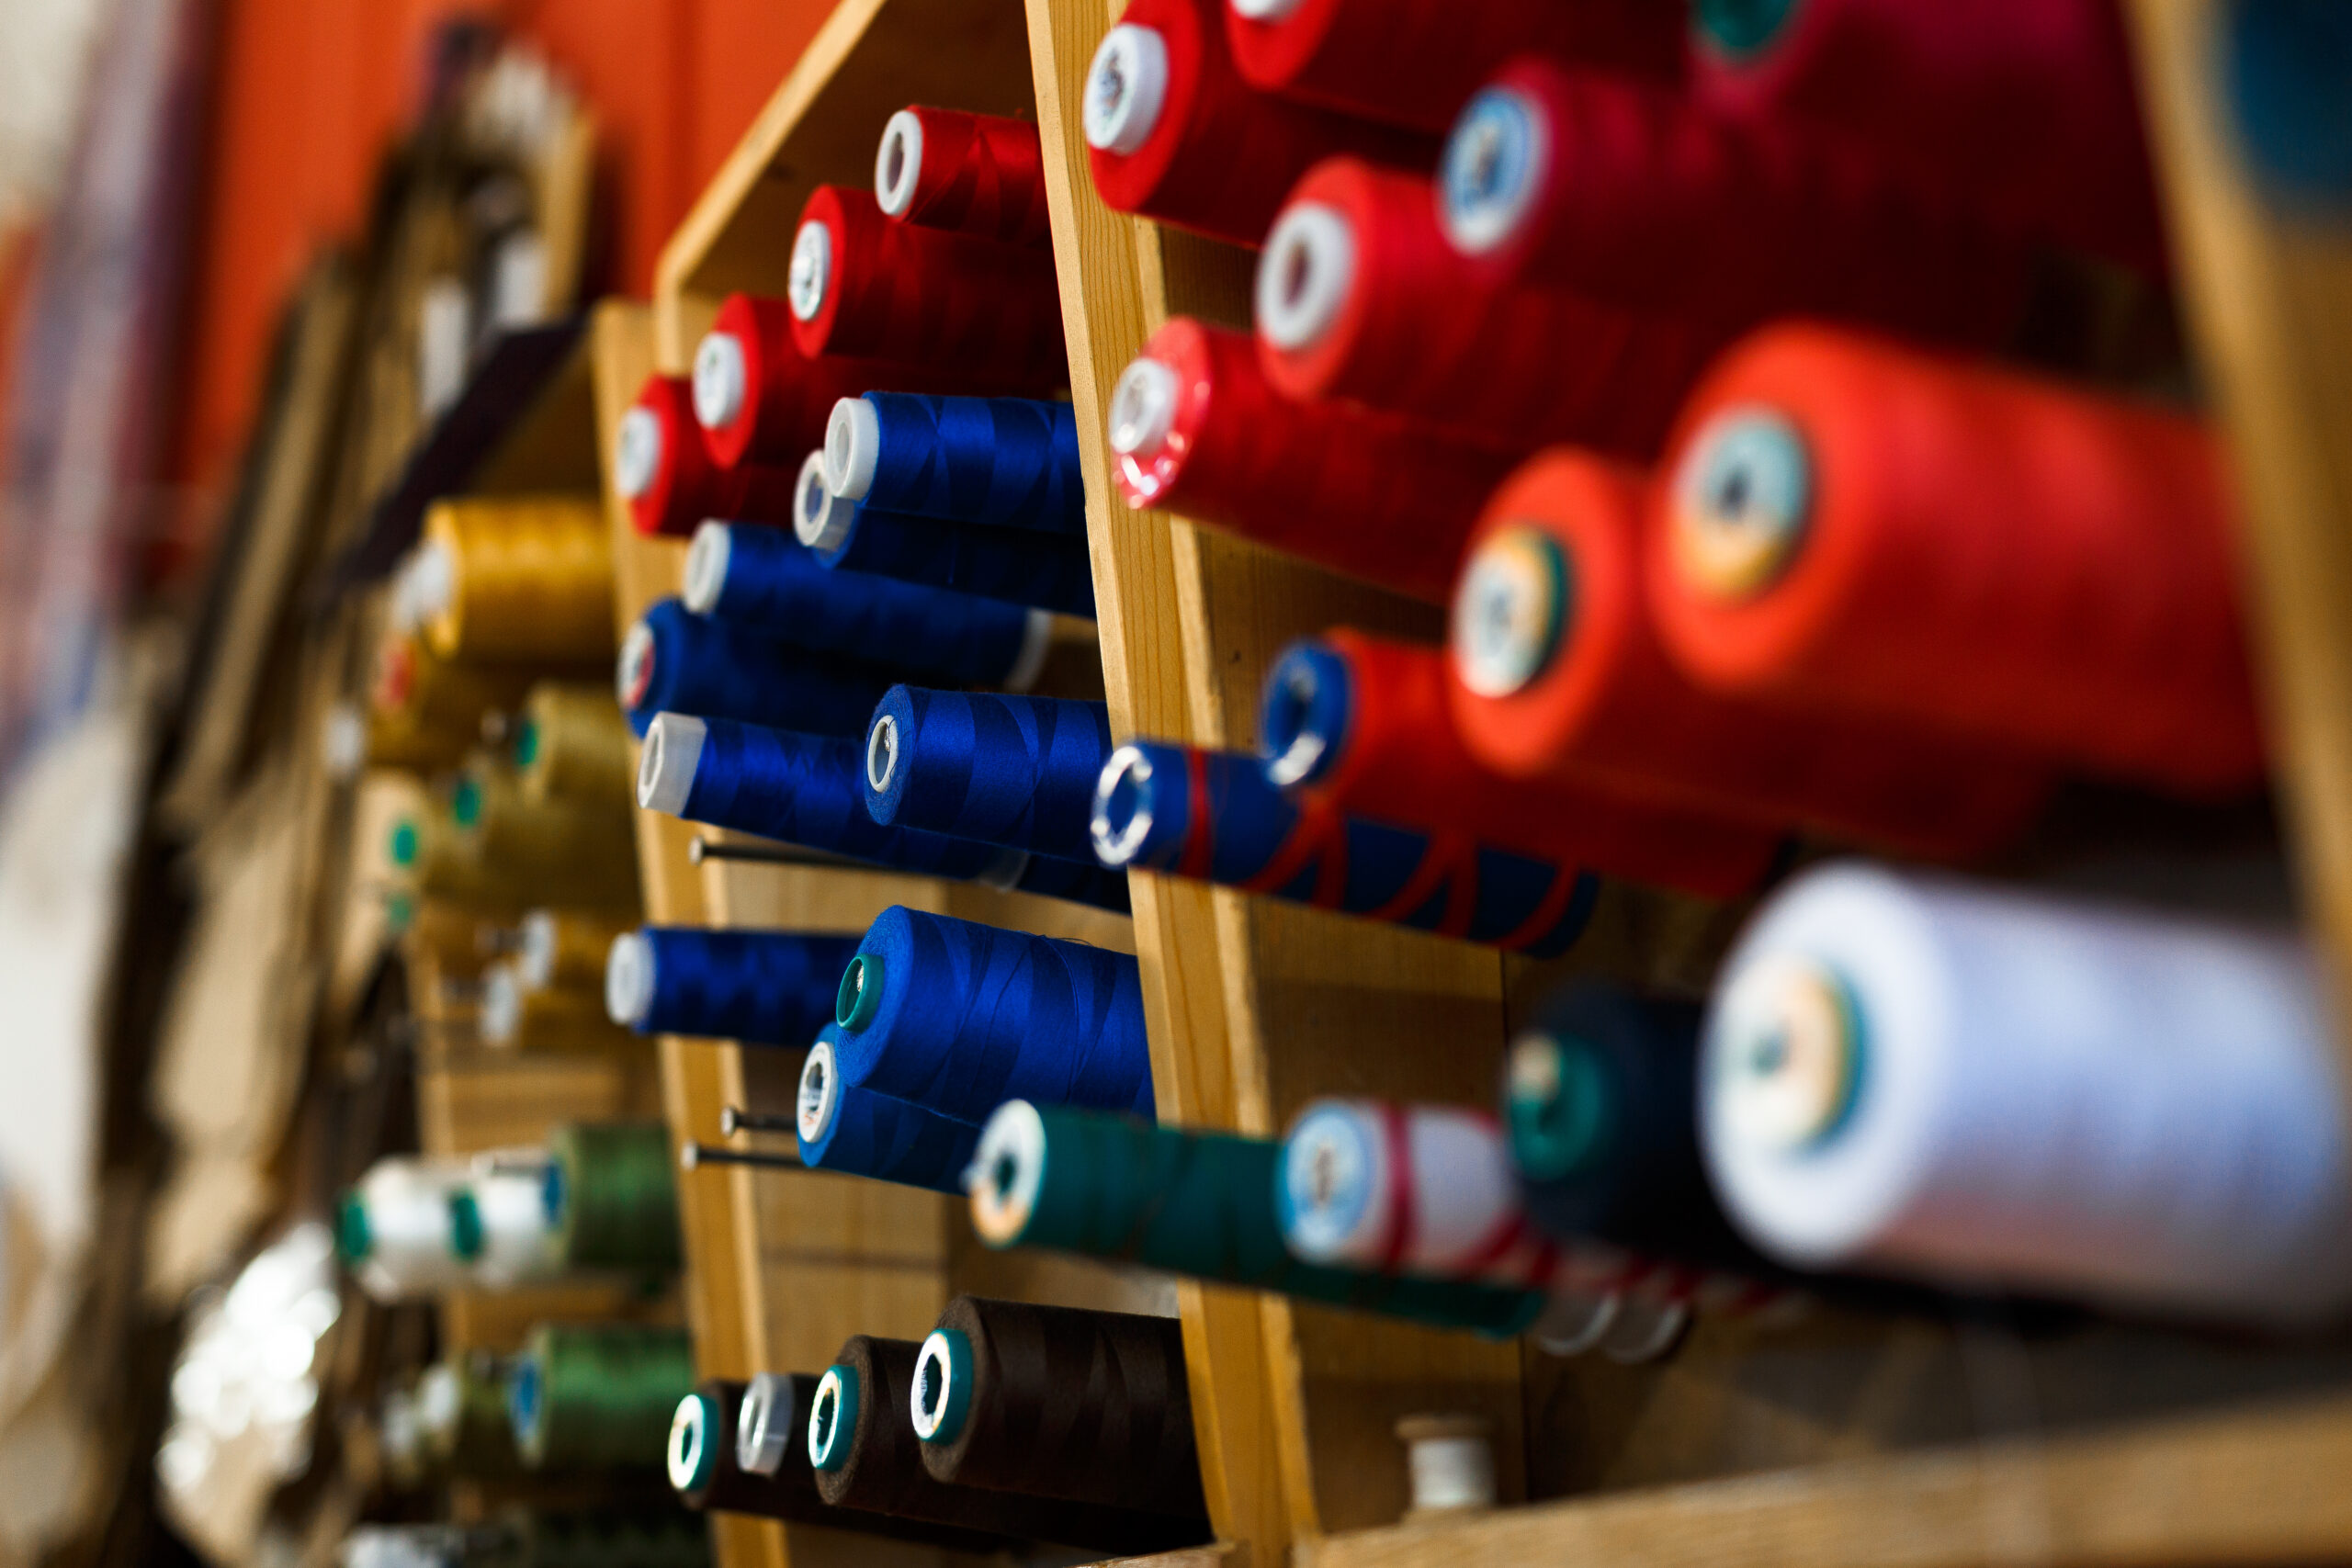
{"x": 1363, "y": 723}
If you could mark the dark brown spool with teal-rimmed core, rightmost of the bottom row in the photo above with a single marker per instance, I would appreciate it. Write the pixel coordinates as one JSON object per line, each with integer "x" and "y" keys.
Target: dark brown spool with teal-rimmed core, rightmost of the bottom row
{"x": 1062, "y": 1402}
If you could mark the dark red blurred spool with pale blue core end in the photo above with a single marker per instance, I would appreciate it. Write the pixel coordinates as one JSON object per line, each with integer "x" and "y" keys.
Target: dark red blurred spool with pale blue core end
{"x": 1643, "y": 199}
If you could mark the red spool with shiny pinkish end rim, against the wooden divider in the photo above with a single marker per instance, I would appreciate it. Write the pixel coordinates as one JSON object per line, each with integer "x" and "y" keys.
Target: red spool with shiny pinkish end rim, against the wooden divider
{"x": 1198, "y": 431}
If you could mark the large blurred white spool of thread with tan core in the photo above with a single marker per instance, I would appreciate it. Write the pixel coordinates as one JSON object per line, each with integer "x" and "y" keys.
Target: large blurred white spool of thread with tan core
{"x": 1996, "y": 1090}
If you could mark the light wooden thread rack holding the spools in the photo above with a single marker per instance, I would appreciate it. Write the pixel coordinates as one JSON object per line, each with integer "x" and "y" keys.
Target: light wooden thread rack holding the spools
{"x": 1840, "y": 1442}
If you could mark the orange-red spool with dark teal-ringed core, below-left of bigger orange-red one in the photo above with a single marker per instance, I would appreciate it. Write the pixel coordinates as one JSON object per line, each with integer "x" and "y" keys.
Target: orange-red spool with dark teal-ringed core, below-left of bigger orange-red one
{"x": 1558, "y": 674}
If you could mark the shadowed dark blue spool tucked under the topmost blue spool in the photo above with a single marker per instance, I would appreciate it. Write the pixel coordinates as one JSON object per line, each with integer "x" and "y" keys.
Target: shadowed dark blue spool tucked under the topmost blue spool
{"x": 1017, "y": 568}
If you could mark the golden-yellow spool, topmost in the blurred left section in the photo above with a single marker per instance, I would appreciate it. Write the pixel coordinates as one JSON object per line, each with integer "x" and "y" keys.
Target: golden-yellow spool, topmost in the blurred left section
{"x": 530, "y": 579}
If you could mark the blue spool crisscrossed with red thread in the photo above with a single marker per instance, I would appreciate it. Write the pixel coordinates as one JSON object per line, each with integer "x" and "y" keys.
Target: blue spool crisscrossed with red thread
{"x": 1215, "y": 817}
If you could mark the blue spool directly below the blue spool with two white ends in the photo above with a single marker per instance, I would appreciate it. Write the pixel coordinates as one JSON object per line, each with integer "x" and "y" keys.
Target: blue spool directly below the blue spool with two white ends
{"x": 679, "y": 662}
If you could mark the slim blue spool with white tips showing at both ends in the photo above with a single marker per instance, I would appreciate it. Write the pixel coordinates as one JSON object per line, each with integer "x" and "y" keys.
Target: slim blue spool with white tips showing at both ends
{"x": 768, "y": 582}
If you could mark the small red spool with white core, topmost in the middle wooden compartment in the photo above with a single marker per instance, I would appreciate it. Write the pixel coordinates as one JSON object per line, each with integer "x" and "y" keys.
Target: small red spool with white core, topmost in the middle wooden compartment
{"x": 970, "y": 175}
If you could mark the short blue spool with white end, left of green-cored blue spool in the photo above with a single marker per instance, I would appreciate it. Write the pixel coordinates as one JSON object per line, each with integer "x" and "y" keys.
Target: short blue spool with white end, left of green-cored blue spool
{"x": 766, "y": 989}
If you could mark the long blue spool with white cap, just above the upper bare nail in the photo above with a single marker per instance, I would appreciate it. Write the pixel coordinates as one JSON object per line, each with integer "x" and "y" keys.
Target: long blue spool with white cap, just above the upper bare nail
{"x": 806, "y": 791}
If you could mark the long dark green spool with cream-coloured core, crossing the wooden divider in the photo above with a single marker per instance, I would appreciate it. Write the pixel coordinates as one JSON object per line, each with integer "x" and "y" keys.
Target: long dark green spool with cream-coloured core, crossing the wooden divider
{"x": 1189, "y": 1202}
